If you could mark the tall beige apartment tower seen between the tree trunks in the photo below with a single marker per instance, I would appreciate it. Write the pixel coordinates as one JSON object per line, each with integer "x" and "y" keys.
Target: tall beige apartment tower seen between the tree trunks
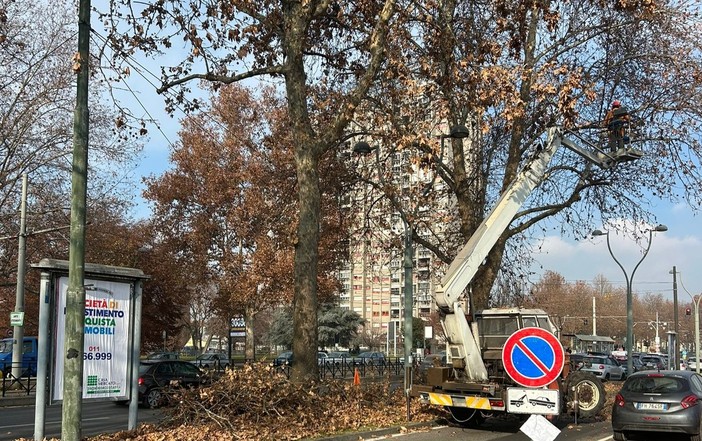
{"x": 373, "y": 281}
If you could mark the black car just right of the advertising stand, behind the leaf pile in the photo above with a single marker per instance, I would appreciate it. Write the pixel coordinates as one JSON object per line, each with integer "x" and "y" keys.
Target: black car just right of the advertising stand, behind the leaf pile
{"x": 158, "y": 378}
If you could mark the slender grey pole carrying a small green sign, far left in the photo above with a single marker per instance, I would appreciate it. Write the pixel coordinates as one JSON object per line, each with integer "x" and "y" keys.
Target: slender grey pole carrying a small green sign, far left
{"x": 18, "y": 331}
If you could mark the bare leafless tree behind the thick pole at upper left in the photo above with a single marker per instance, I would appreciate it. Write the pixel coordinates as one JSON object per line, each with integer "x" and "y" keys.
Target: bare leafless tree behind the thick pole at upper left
{"x": 37, "y": 96}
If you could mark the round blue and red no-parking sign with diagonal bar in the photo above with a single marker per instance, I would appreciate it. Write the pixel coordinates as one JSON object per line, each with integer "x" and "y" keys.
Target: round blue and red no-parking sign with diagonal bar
{"x": 533, "y": 357}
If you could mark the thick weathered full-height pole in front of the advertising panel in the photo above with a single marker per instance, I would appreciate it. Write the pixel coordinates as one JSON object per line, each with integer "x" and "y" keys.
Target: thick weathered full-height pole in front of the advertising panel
{"x": 75, "y": 297}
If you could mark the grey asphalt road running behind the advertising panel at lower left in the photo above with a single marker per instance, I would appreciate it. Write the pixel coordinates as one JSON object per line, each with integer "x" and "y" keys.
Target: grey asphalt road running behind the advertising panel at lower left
{"x": 98, "y": 417}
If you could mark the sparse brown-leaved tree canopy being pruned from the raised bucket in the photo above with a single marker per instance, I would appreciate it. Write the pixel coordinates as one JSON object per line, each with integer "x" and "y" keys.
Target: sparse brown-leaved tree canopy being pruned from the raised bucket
{"x": 506, "y": 72}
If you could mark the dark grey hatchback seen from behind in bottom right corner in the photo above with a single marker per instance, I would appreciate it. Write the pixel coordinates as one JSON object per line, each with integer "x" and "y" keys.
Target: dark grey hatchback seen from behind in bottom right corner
{"x": 661, "y": 401}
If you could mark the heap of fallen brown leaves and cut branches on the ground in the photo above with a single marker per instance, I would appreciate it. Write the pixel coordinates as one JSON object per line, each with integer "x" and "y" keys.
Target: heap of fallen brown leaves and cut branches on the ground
{"x": 258, "y": 404}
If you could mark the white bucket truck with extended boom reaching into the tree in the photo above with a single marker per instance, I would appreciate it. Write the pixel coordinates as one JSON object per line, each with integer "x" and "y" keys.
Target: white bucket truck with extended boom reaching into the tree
{"x": 483, "y": 376}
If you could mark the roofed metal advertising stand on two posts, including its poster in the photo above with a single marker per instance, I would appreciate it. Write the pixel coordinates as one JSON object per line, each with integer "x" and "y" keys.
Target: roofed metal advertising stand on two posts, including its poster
{"x": 112, "y": 335}
